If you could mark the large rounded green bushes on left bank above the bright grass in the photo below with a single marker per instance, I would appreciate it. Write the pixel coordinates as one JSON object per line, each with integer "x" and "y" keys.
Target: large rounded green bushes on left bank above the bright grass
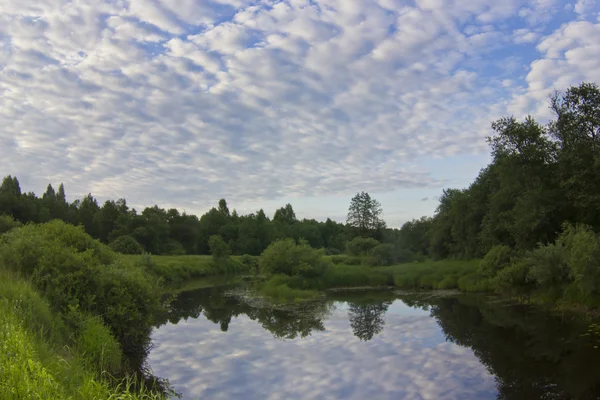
{"x": 76, "y": 272}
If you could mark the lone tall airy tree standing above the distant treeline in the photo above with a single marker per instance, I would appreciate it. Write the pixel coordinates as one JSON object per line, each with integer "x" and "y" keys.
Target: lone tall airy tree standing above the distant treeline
{"x": 364, "y": 214}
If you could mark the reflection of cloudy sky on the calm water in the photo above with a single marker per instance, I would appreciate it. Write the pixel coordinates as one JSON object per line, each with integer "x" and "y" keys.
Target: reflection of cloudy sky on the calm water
{"x": 409, "y": 359}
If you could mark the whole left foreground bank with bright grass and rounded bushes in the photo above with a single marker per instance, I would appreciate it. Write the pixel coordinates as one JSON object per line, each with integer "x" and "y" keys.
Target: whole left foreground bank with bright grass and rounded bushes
{"x": 75, "y": 319}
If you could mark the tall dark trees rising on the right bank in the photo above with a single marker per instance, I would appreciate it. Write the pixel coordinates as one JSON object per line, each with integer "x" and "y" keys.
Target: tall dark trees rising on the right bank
{"x": 540, "y": 178}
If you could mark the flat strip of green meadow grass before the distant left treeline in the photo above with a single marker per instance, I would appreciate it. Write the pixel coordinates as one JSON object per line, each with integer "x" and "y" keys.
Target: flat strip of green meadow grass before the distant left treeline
{"x": 177, "y": 269}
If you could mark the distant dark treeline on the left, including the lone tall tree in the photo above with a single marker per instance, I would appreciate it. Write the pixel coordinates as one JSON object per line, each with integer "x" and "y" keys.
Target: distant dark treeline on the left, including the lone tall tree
{"x": 170, "y": 232}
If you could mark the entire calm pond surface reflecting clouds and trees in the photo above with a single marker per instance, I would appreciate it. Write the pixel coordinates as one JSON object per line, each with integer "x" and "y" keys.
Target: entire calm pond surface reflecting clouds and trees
{"x": 371, "y": 345}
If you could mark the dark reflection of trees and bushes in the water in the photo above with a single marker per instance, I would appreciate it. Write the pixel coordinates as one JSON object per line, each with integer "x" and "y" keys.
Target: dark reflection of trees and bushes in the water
{"x": 532, "y": 354}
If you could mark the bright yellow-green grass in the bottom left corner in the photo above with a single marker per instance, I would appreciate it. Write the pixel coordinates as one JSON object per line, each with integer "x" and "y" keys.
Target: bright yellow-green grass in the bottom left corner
{"x": 39, "y": 361}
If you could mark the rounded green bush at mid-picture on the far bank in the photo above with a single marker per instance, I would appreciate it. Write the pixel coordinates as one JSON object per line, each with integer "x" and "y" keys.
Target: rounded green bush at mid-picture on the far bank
{"x": 288, "y": 258}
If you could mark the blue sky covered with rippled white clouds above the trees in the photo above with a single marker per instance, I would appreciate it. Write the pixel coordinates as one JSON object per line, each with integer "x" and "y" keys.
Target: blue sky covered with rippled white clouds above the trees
{"x": 180, "y": 102}
